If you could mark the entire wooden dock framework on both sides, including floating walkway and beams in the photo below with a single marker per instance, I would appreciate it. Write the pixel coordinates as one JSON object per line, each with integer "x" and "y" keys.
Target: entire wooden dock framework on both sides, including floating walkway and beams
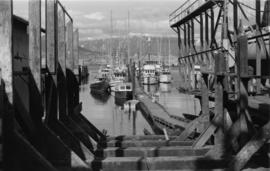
{"x": 43, "y": 127}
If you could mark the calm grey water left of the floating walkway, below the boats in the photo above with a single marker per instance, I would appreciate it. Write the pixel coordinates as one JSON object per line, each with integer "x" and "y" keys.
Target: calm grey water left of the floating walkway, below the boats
{"x": 107, "y": 112}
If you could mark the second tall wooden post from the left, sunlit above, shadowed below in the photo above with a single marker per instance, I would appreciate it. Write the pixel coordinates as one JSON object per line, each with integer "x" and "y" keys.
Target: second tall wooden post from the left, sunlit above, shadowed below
{"x": 36, "y": 107}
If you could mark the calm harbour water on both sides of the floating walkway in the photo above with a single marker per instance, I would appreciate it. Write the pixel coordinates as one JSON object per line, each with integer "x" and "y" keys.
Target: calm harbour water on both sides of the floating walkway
{"x": 106, "y": 113}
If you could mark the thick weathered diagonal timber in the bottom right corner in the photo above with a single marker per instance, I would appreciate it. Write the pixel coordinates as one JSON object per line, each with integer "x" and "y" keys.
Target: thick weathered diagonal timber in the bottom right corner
{"x": 256, "y": 142}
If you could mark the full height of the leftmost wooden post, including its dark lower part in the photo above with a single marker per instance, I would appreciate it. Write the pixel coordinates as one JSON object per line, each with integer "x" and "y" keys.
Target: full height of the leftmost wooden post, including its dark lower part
{"x": 6, "y": 66}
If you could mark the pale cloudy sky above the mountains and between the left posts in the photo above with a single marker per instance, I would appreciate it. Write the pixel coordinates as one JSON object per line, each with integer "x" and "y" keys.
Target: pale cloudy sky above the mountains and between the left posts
{"x": 93, "y": 18}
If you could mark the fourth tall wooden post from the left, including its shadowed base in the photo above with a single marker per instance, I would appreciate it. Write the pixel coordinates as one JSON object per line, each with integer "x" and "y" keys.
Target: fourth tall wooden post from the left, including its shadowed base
{"x": 61, "y": 72}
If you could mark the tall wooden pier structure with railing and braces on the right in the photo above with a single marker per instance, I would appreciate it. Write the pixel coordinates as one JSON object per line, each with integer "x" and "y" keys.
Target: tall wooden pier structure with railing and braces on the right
{"x": 225, "y": 69}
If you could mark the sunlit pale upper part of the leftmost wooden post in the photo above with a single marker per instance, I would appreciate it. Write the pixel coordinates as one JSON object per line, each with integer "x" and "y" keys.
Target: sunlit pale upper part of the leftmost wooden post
{"x": 6, "y": 46}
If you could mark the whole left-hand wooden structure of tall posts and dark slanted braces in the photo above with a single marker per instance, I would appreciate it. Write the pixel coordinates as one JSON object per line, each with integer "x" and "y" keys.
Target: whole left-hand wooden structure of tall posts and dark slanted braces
{"x": 41, "y": 124}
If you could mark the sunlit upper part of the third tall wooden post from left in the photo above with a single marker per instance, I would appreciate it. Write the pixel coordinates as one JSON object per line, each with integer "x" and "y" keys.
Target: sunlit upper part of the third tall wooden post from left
{"x": 51, "y": 36}
